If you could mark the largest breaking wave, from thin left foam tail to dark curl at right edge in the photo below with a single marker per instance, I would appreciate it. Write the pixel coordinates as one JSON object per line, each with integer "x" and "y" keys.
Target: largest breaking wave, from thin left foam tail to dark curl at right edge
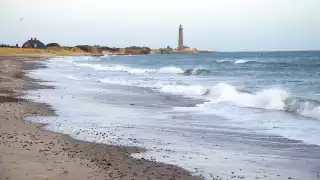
{"x": 270, "y": 99}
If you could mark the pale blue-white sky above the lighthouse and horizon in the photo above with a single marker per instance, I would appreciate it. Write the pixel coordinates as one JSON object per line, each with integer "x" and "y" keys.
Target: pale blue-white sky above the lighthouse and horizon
{"x": 221, "y": 25}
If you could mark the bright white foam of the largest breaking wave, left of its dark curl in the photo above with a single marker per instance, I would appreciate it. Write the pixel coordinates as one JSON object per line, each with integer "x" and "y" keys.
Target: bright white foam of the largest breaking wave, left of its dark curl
{"x": 266, "y": 99}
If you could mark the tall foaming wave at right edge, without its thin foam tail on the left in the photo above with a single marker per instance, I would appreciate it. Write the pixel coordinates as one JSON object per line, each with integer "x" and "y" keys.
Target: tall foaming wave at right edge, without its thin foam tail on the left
{"x": 271, "y": 99}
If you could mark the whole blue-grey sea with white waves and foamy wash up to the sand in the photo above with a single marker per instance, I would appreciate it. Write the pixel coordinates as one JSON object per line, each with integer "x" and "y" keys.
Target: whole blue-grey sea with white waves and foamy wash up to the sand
{"x": 251, "y": 115}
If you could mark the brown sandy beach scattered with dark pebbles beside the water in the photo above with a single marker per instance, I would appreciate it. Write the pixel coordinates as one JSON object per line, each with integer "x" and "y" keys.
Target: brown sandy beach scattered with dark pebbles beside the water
{"x": 27, "y": 152}
